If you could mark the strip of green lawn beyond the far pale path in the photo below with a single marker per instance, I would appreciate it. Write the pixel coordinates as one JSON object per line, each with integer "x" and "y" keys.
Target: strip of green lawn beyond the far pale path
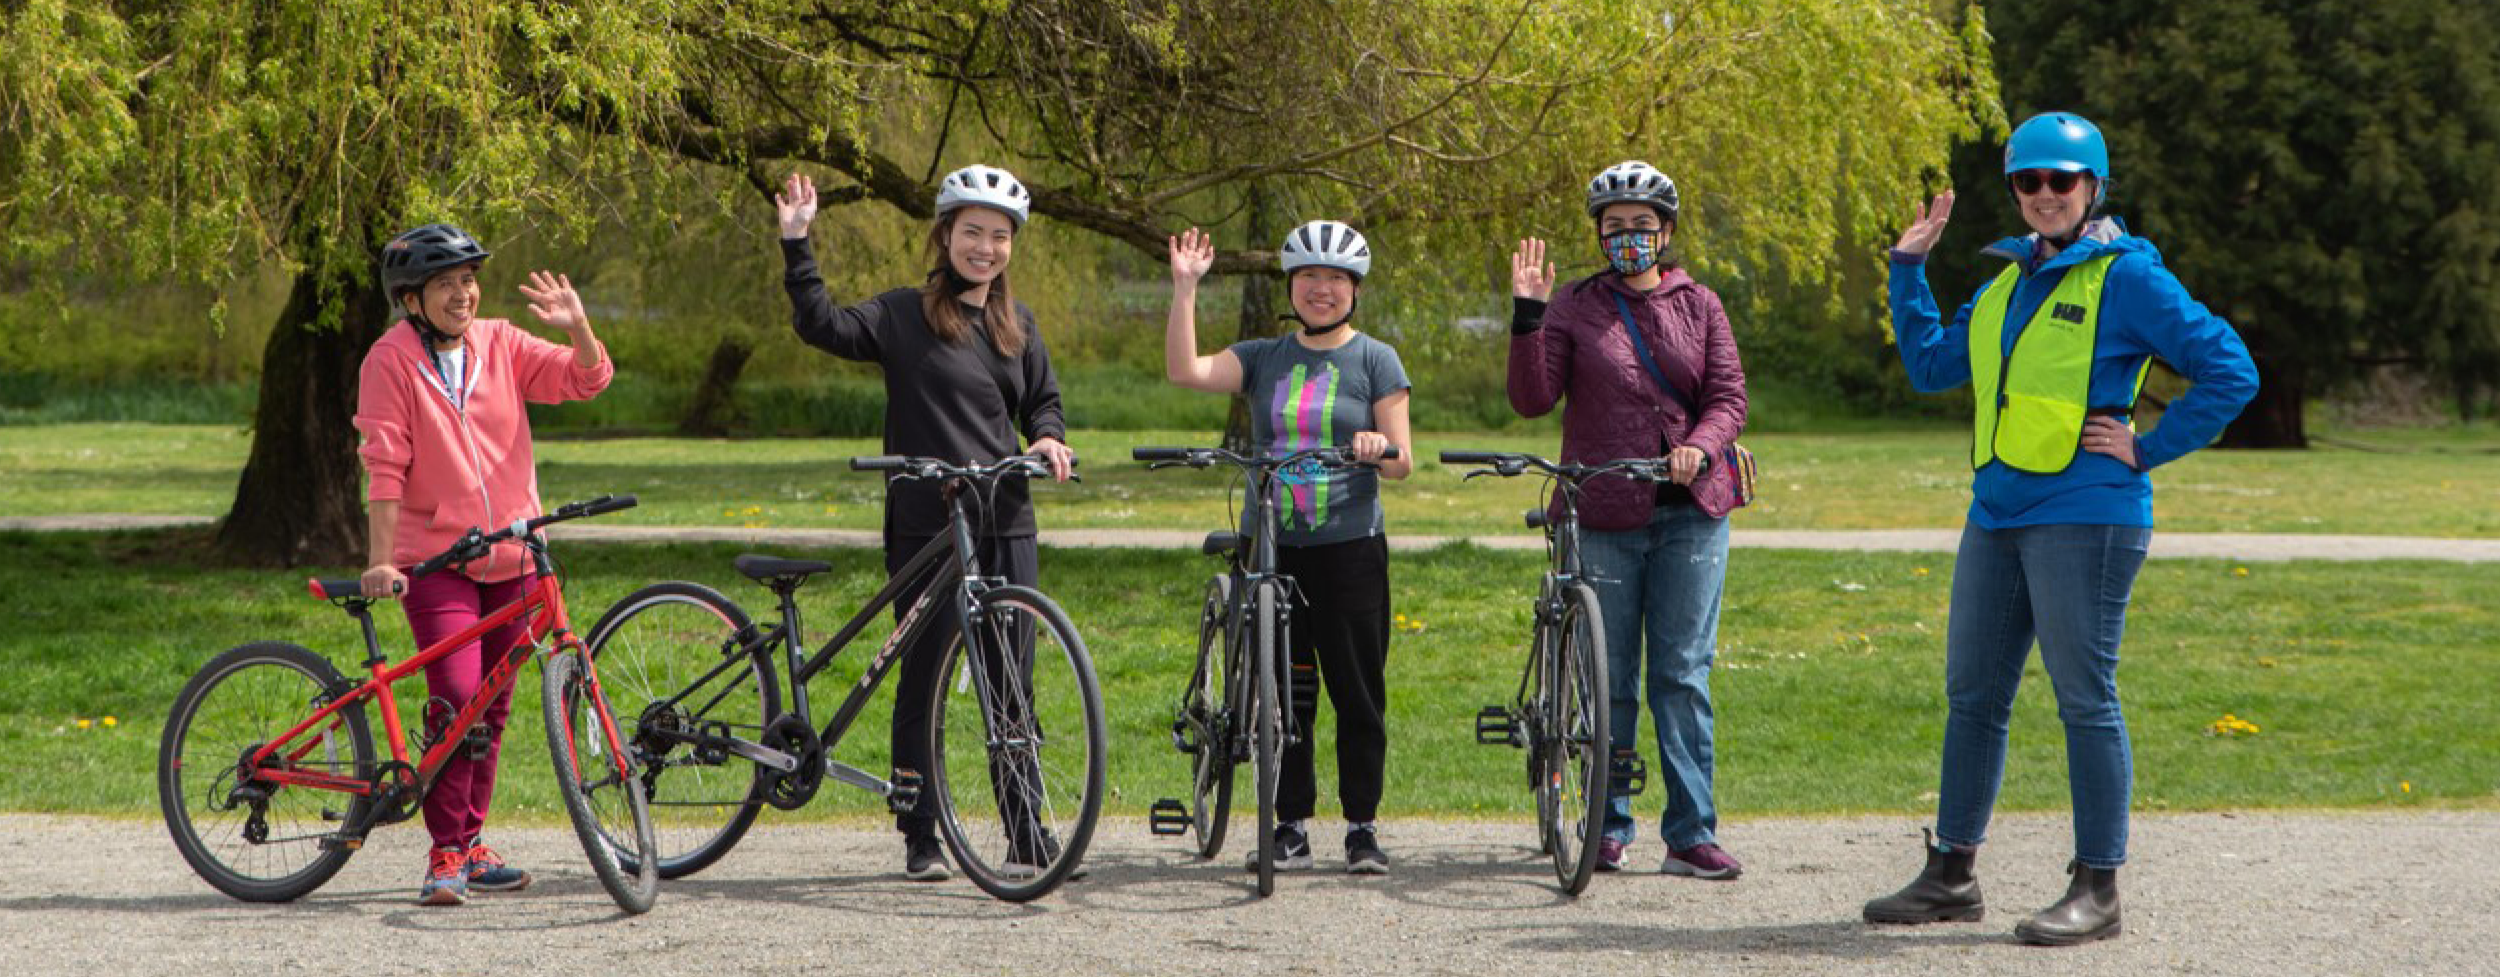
{"x": 1869, "y": 481}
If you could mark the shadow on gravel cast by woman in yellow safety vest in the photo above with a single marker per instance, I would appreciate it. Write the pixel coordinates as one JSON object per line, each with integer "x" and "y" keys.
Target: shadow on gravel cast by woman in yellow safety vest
{"x": 1836, "y": 941}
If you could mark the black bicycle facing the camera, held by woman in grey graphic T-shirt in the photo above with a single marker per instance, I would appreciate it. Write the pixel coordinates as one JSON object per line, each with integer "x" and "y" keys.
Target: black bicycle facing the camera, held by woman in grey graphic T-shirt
{"x": 1236, "y": 708}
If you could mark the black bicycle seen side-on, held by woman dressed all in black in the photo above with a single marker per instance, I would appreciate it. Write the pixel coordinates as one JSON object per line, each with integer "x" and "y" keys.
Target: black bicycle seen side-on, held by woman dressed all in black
{"x": 1016, "y": 718}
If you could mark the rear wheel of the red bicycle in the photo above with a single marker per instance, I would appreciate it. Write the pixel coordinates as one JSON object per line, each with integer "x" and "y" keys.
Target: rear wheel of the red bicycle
{"x": 251, "y": 838}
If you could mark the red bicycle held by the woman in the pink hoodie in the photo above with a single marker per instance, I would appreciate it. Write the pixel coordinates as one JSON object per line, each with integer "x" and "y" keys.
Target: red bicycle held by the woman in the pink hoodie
{"x": 269, "y": 773}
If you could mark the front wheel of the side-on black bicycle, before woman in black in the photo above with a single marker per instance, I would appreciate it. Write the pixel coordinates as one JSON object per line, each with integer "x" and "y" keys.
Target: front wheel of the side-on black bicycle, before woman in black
{"x": 1016, "y": 741}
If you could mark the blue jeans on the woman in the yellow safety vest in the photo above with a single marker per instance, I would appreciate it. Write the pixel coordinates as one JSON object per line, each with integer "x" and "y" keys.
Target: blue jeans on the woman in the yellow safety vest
{"x": 2064, "y": 586}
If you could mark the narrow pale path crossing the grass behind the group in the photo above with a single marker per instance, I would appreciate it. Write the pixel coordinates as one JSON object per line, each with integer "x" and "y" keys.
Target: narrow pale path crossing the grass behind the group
{"x": 2166, "y": 546}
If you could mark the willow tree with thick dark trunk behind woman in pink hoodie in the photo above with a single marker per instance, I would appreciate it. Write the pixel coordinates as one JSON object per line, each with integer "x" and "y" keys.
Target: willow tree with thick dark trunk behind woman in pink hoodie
{"x": 209, "y": 139}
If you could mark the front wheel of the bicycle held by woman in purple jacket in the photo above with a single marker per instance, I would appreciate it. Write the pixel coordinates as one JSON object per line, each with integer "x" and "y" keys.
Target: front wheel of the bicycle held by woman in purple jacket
{"x": 1576, "y": 741}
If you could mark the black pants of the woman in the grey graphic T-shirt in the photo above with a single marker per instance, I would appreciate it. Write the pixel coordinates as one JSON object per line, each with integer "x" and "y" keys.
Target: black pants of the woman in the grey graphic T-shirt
{"x": 1341, "y": 641}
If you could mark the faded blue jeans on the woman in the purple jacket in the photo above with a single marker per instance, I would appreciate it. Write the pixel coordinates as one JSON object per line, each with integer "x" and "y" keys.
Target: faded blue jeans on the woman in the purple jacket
{"x": 1664, "y": 583}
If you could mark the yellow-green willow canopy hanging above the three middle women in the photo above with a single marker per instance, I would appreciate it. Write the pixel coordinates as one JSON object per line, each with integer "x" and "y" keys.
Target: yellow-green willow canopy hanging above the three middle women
{"x": 1796, "y": 126}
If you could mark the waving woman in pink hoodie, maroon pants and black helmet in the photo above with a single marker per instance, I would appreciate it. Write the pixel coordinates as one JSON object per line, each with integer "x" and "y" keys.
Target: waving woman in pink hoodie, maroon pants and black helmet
{"x": 441, "y": 404}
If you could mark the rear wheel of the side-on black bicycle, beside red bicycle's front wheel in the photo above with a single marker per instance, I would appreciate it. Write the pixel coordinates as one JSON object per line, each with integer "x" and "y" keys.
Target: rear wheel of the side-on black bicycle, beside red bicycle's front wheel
{"x": 669, "y": 663}
